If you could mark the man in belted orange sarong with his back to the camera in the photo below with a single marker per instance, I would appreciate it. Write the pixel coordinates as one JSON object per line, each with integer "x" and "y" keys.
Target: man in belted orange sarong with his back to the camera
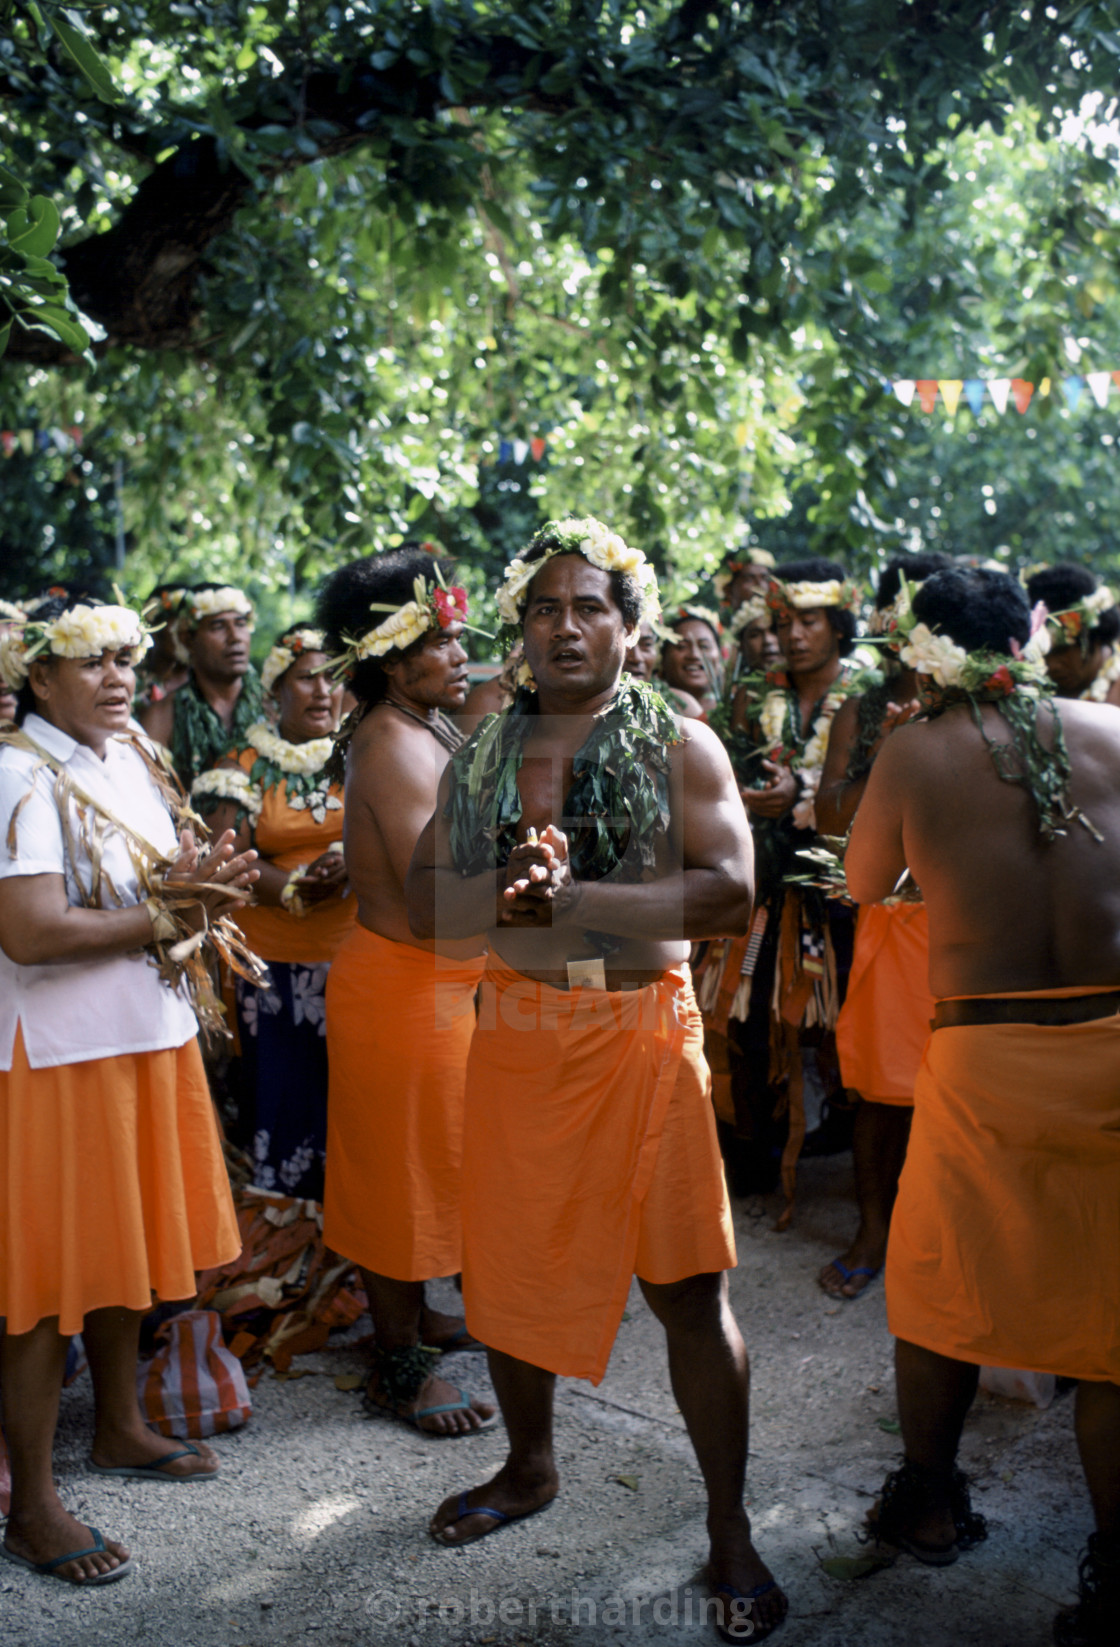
{"x": 1006, "y": 808}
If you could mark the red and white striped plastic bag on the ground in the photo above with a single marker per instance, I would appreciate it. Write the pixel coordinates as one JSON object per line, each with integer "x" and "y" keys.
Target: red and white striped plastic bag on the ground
{"x": 194, "y": 1386}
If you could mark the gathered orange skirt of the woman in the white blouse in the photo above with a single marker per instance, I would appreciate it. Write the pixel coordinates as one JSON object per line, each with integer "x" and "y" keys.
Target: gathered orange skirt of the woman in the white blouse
{"x": 113, "y": 1185}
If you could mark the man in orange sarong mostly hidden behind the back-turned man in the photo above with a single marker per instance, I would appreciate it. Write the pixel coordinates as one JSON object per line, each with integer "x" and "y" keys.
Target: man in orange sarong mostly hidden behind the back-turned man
{"x": 884, "y": 1024}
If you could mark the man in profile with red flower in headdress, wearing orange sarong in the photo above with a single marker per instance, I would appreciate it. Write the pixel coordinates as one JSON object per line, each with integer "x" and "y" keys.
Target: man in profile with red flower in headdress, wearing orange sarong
{"x": 399, "y": 1014}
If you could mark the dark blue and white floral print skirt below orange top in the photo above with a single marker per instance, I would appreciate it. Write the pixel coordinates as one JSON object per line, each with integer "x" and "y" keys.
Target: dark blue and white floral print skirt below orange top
{"x": 284, "y": 1050}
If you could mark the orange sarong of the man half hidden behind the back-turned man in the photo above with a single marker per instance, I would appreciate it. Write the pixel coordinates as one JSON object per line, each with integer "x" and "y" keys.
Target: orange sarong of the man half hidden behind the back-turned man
{"x": 884, "y": 1024}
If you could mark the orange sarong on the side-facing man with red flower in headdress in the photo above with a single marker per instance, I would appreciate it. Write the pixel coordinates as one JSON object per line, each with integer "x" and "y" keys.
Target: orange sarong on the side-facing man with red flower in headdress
{"x": 399, "y": 1025}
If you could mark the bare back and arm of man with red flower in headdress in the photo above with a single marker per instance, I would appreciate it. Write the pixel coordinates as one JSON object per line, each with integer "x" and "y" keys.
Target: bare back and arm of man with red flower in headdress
{"x": 393, "y": 778}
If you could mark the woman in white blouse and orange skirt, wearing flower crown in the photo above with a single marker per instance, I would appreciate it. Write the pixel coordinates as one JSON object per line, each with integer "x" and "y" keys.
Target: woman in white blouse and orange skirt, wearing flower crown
{"x": 113, "y": 1185}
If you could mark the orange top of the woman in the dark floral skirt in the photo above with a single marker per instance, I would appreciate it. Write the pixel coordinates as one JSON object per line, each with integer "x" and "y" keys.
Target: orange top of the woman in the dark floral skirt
{"x": 292, "y": 841}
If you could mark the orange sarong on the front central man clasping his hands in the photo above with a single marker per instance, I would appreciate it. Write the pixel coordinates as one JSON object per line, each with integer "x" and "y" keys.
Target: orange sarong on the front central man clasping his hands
{"x": 590, "y": 1155}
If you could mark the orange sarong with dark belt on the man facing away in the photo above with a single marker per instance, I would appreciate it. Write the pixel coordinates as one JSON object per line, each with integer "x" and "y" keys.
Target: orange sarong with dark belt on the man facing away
{"x": 1006, "y": 1239}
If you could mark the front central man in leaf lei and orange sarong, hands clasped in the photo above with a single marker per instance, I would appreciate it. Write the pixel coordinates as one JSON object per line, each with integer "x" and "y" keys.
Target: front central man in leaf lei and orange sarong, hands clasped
{"x": 592, "y": 833}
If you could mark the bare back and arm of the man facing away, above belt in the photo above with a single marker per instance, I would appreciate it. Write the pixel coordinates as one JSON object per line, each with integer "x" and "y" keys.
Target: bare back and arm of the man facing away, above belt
{"x": 1007, "y": 912}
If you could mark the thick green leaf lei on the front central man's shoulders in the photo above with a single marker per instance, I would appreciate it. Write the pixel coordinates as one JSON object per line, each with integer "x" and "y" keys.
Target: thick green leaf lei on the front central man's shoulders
{"x": 618, "y": 803}
